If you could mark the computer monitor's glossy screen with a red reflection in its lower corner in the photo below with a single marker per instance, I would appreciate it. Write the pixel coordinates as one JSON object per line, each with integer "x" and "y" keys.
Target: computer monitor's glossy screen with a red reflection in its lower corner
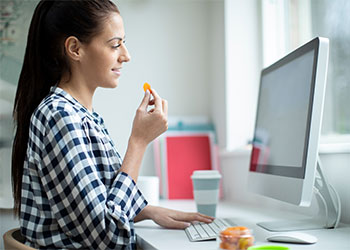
{"x": 281, "y": 133}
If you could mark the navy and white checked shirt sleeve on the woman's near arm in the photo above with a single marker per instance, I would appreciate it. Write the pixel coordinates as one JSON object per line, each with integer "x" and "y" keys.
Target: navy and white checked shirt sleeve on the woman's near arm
{"x": 96, "y": 215}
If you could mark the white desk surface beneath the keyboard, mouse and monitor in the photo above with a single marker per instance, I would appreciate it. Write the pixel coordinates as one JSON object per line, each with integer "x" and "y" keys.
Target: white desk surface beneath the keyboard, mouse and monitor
{"x": 152, "y": 236}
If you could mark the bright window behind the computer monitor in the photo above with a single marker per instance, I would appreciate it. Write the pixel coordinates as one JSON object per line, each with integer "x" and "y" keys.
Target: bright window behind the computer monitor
{"x": 287, "y": 24}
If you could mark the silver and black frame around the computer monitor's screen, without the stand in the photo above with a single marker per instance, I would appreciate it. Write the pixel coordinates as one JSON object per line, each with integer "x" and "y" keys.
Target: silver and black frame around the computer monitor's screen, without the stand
{"x": 287, "y": 187}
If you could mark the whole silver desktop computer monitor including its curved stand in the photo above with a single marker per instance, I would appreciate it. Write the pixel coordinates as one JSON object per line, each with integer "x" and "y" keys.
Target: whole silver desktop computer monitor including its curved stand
{"x": 284, "y": 159}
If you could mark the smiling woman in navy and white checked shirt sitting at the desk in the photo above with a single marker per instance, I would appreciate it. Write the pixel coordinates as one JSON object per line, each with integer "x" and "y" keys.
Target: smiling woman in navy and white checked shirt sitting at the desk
{"x": 71, "y": 188}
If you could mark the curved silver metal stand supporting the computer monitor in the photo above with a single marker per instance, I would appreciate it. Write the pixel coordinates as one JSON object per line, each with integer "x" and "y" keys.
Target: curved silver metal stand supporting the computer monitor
{"x": 328, "y": 215}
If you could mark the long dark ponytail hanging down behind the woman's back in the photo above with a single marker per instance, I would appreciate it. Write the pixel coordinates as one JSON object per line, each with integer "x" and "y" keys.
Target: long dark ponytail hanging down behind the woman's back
{"x": 33, "y": 86}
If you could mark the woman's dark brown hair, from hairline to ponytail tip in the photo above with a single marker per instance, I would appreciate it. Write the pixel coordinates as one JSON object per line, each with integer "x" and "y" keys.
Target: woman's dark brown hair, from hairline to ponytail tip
{"x": 45, "y": 63}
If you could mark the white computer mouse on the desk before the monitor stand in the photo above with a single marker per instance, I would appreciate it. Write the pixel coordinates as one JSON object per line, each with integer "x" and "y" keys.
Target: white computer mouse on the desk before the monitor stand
{"x": 292, "y": 237}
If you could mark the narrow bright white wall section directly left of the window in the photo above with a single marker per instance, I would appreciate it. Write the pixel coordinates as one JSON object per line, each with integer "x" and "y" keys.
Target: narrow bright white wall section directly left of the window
{"x": 243, "y": 45}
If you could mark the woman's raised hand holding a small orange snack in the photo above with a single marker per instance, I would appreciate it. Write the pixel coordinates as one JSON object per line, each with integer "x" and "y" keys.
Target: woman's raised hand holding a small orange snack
{"x": 148, "y": 125}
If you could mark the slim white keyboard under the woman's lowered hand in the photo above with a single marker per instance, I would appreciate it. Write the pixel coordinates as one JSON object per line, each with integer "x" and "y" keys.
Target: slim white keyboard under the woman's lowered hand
{"x": 207, "y": 231}
